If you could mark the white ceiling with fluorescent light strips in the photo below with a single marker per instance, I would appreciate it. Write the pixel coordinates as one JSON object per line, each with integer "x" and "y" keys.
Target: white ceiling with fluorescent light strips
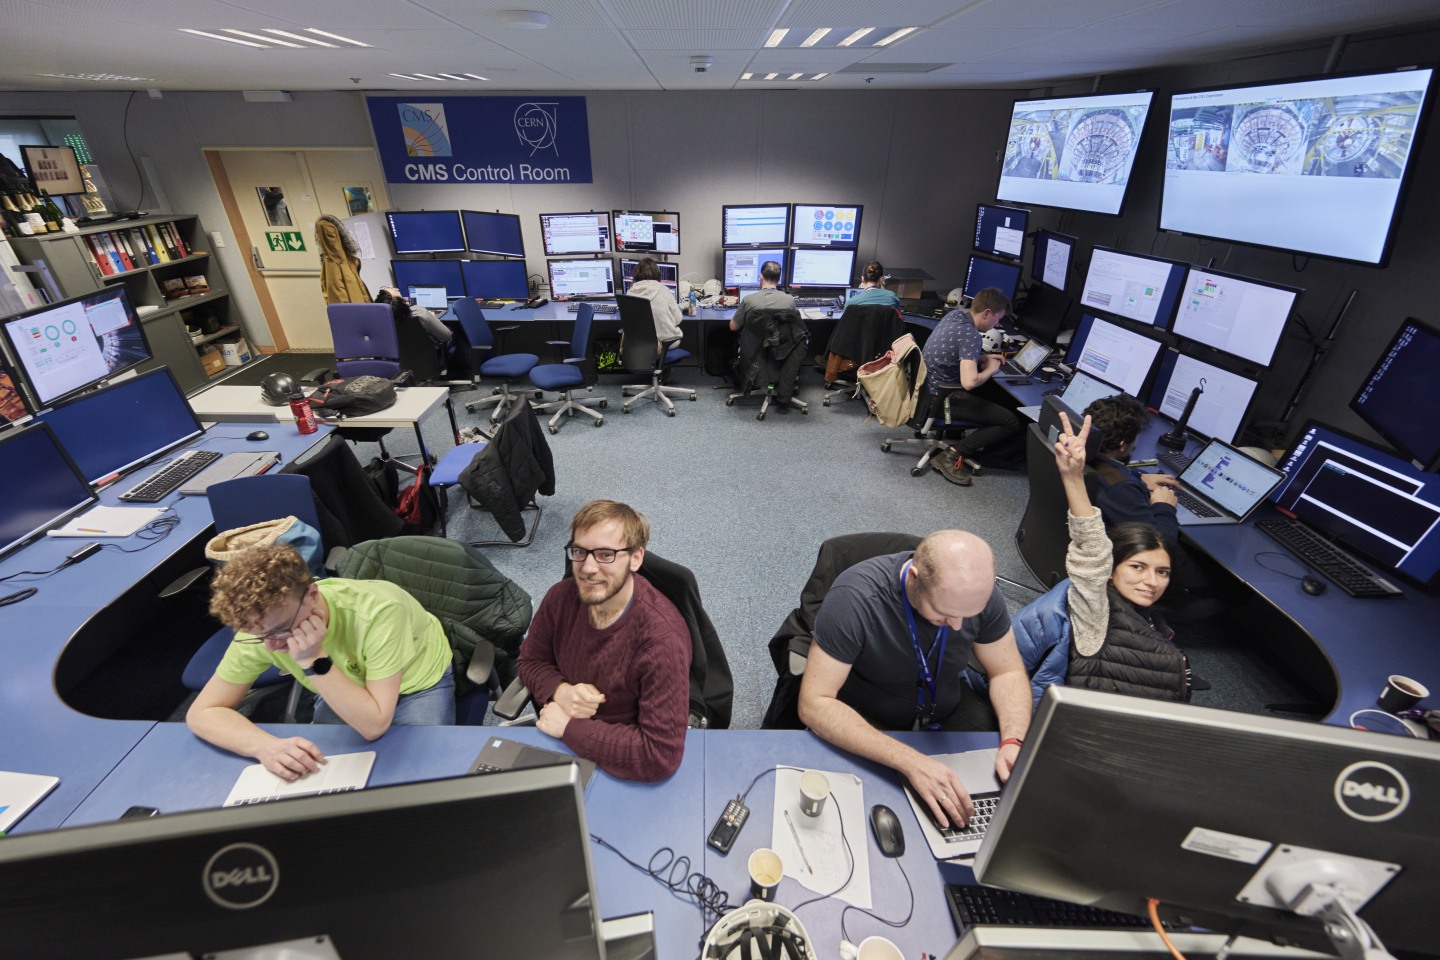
{"x": 647, "y": 44}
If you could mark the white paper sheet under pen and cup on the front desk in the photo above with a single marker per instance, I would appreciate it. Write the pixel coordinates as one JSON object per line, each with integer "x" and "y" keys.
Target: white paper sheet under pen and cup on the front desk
{"x": 822, "y": 844}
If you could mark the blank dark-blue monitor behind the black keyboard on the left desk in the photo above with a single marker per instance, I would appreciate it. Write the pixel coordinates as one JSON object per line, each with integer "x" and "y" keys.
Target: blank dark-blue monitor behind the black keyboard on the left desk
{"x": 113, "y": 431}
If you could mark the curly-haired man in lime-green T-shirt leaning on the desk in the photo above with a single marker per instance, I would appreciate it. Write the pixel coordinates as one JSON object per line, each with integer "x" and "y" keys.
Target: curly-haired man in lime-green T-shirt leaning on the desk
{"x": 368, "y": 650}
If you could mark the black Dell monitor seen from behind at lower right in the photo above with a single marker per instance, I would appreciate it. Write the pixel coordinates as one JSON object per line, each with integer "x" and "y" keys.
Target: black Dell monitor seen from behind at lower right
{"x": 1118, "y": 800}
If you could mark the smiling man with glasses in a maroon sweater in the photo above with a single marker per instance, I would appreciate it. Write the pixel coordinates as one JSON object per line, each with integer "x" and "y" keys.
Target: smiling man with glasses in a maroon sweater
{"x": 608, "y": 656}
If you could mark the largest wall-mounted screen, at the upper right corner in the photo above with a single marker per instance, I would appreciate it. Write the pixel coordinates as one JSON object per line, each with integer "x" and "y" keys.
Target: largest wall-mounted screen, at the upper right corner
{"x": 1315, "y": 166}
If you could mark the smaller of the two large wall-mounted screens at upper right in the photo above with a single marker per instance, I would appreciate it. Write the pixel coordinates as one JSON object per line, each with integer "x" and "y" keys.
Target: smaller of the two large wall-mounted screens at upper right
{"x": 1074, "y": 152}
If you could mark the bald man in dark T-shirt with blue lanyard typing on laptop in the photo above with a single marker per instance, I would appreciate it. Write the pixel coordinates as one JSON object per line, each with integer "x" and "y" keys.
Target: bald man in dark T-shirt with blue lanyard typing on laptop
{"x": 892, "y": 638}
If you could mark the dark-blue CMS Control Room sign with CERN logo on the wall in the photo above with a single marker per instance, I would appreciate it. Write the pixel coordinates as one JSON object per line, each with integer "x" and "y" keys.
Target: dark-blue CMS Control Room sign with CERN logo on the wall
{"x": 512, "y": 140}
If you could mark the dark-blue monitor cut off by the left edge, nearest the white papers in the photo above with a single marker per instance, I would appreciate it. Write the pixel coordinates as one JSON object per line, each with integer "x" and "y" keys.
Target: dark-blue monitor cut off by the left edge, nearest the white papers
{"x": 40, "y": 486}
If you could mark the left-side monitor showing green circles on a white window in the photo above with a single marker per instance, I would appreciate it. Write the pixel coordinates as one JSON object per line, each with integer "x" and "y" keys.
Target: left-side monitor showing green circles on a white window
{"x": 77, "y": 343}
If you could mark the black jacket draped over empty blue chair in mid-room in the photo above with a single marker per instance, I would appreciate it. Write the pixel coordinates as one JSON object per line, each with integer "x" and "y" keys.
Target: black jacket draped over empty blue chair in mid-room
{"x": 509, "y": 473}
